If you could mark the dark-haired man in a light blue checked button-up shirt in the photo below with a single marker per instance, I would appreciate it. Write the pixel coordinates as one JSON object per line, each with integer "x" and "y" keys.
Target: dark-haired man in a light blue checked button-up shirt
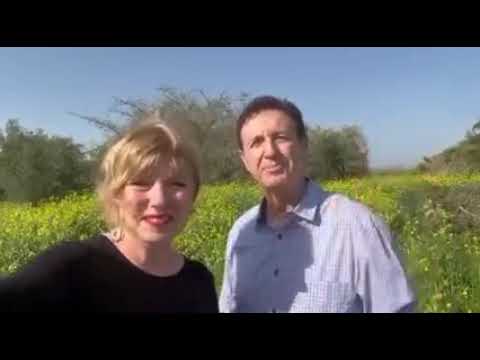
{"x": 304, "y": 249}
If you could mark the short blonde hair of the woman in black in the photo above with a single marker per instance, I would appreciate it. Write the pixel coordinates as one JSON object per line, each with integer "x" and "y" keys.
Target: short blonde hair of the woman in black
{"x": 136, "y": 152}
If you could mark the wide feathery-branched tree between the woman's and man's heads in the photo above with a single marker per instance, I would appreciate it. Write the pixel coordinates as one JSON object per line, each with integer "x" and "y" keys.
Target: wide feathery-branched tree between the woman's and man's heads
{"x": 211, "y": 120}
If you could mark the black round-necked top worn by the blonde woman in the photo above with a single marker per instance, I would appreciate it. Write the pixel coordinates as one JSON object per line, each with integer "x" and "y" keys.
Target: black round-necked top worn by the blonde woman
{"x": 93, "y": 275}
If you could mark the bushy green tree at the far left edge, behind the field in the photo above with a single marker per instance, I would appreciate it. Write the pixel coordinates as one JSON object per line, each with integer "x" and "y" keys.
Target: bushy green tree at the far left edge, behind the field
{"x": 34, "y": 166}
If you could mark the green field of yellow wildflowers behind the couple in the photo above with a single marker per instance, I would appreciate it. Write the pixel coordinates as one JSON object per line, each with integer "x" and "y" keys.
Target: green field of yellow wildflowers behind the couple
{"x": 441, "y": 249}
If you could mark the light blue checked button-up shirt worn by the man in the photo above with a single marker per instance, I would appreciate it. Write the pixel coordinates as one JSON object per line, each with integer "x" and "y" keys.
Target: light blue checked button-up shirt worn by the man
{"x": 332, "y": 255}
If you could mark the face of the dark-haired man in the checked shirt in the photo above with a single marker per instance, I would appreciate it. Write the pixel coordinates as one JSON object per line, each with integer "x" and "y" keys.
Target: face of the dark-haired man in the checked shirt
{"x": 271, "y": 150}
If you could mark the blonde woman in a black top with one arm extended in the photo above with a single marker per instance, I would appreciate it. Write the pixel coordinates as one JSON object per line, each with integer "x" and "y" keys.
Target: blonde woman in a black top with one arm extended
{"x": 148, "y": 182}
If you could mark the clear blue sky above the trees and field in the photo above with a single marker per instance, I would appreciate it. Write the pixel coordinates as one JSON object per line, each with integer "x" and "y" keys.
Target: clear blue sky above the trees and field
{"x": 409, "y": 102}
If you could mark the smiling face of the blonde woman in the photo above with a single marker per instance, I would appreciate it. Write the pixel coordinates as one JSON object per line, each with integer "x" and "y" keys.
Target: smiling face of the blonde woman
{"x": 155, "y": 207}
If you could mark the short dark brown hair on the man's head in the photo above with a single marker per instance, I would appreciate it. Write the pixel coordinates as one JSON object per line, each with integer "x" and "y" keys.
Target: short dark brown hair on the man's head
{"x": 268, "y": 102}
